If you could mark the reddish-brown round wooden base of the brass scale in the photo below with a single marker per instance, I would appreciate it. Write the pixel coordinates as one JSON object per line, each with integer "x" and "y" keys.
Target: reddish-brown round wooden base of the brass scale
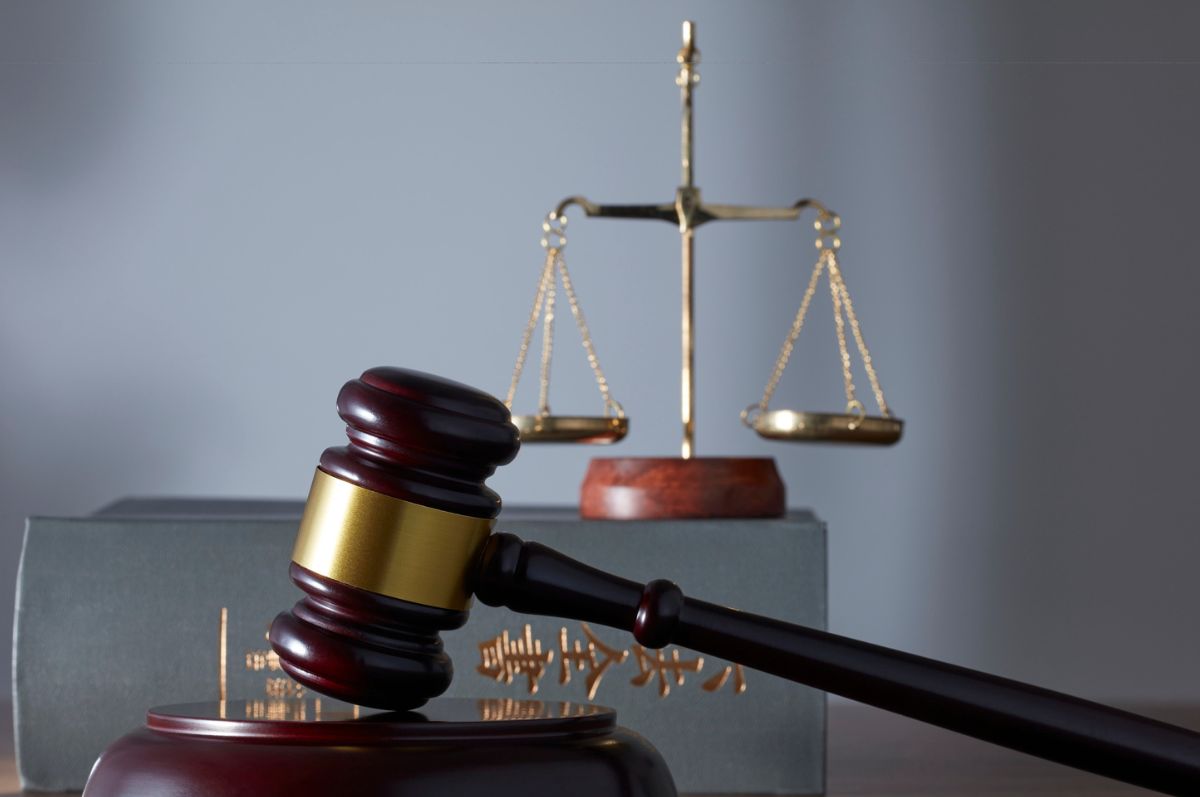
{"x": 670, "y": 488}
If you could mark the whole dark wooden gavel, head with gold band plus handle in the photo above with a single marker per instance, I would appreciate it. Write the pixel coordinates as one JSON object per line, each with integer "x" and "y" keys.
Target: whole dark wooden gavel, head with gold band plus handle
{"x": 397, "y": 537}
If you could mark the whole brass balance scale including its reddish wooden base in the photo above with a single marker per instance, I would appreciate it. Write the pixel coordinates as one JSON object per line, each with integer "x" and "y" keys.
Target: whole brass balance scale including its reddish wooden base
{"x": 691, "y": 487}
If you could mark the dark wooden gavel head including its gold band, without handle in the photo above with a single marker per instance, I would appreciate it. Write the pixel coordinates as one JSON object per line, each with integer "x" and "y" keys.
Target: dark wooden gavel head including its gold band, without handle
{"x": 394, "y": 524}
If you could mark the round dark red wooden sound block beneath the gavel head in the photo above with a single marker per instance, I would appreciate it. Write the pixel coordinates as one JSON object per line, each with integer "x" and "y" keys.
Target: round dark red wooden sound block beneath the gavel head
{"x": 308, "y": 747}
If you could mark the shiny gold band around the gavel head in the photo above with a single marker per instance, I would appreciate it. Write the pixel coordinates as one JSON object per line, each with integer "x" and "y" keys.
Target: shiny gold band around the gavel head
{"x": 388, "y": 547}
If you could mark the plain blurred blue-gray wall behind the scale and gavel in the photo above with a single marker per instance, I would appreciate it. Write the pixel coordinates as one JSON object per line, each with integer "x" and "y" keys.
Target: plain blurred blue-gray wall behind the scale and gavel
{"x": 214, "y": 214}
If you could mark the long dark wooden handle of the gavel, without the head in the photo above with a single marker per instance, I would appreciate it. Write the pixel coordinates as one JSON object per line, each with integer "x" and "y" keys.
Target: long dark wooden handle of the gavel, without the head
{"x": 533, "y": 579}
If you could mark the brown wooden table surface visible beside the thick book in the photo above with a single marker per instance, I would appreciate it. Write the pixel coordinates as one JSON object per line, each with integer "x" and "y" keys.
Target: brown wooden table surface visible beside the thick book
{"x": 874, "y": 754}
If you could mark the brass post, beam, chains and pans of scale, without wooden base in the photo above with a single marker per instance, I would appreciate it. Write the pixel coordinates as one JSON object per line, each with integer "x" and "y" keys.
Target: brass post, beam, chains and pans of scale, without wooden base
{"x": 688, "y": 212}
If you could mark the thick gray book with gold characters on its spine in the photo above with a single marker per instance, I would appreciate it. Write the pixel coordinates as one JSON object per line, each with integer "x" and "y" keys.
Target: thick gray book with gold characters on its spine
{"x": 133, "y": 608}
